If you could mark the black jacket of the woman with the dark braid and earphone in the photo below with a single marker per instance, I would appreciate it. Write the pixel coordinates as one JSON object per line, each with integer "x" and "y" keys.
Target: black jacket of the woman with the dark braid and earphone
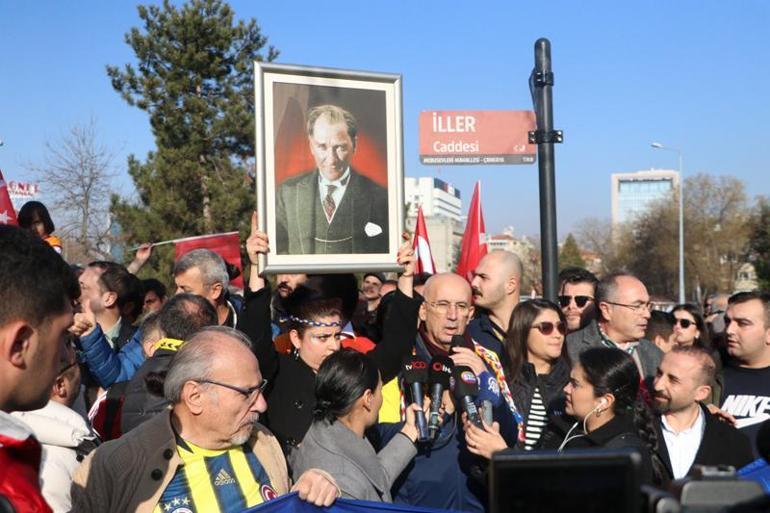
{"x": 618, "y": 433}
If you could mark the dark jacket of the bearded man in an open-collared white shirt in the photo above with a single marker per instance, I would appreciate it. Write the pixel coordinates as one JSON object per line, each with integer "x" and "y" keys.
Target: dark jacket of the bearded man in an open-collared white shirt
{"x": 722, "y": 444}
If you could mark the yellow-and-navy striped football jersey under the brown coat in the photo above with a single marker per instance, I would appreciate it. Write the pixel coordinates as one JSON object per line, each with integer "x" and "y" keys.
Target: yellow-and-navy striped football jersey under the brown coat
{"x": 222, "y": 481}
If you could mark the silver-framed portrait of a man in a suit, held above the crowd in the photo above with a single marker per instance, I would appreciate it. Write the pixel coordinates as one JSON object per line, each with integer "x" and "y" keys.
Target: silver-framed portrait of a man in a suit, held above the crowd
{"x": 329, "y": 168}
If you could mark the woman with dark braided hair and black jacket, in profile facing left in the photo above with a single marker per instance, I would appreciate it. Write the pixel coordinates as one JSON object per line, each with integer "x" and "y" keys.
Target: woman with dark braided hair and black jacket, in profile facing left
{"x": 602, "y": 400}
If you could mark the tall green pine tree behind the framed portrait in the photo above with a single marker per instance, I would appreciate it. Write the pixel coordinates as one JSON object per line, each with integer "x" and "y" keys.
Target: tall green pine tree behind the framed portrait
{"x": 194, "y": 78}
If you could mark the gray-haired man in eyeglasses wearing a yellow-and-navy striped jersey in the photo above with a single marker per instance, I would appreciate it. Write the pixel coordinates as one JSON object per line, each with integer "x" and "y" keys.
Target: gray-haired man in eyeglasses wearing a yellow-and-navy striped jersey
{"x": 209, "y": 452}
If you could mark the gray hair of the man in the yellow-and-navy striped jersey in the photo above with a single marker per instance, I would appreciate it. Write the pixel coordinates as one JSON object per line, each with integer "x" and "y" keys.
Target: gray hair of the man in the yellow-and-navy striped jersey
{"x": 195, "y": 359}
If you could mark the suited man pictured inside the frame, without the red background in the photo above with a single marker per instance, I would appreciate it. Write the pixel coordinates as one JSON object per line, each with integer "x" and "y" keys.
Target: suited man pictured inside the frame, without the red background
{"x": 332, "y": 209}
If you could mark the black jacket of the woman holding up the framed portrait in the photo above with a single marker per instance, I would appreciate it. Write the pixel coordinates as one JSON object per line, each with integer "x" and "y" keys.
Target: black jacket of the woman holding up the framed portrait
{"x": 290, "y": 392}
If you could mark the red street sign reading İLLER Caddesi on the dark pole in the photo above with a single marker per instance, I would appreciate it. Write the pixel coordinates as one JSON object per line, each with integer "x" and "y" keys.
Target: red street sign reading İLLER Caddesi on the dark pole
{"x": 476, "y": 137}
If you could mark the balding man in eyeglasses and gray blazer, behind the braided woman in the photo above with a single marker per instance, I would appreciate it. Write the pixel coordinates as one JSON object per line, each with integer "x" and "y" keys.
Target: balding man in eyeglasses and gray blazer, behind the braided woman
{"x": 623, "y": 307}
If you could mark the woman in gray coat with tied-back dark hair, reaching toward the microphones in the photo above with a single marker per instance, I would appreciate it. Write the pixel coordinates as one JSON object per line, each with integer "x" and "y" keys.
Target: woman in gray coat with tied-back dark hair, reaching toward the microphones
{"x": 348, "y": 392}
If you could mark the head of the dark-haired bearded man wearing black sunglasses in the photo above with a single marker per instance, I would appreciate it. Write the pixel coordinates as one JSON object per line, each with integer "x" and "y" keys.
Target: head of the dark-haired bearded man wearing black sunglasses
{"x": 576, "y": 297}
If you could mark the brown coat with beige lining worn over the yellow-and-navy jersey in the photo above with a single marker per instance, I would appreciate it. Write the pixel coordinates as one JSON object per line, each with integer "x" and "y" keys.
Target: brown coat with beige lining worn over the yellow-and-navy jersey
{"x": 130, "y": 473}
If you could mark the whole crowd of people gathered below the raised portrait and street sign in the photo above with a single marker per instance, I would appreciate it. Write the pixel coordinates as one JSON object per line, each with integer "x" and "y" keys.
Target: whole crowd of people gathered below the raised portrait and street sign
{"x": 116, "y": 395}
